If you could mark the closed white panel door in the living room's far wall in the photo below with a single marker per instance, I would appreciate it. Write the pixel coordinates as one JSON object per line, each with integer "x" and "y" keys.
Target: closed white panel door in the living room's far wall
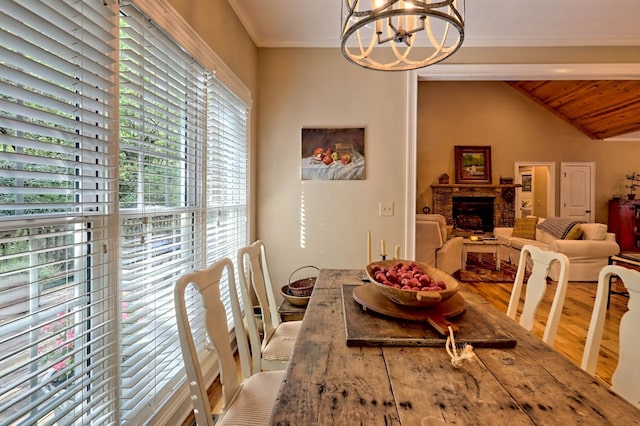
{"x": 577, "y": 186}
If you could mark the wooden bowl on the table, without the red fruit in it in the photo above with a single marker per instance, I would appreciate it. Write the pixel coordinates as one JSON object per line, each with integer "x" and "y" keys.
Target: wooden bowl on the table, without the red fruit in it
{"x": 411, "y": 297}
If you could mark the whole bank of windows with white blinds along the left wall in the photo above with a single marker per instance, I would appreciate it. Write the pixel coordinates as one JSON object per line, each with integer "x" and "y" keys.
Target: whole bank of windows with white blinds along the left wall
{"x": 108, "y": 193}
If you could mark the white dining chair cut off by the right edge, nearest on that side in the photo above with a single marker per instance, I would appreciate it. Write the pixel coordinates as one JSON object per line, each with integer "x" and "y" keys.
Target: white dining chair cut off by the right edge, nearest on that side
{"x": 626, "y": 377}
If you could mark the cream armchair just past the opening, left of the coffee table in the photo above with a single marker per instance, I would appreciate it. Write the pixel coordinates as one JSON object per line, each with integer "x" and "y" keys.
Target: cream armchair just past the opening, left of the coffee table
{"x": 434, "y": 246}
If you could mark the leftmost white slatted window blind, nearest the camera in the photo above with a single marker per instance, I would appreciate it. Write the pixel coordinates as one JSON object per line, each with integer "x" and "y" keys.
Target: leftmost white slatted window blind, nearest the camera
{"x": 57, "y": 168}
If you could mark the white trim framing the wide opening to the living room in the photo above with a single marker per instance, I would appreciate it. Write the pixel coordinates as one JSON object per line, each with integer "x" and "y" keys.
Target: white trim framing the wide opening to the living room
{"x": 478, "y": 72}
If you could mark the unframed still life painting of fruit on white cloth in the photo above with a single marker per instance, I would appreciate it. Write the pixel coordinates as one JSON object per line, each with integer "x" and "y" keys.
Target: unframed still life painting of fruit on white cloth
{"x": 333, "y": 154}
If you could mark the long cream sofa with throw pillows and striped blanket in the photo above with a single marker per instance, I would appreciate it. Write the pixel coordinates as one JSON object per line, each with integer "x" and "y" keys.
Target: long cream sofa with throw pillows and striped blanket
{"x": 587, "y": 255}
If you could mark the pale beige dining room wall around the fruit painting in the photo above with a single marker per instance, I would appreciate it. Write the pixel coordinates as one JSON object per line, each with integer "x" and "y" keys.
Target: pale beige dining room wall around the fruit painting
{"x": 325, "y": 223}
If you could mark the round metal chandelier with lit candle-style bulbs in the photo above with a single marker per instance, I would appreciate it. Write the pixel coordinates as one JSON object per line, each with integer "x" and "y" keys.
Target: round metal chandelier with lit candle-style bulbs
{"x": 397, "y": 35}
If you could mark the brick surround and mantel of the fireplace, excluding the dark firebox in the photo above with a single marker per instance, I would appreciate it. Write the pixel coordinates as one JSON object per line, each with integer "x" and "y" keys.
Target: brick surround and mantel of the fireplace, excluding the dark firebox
{"x": 503, "y": 208}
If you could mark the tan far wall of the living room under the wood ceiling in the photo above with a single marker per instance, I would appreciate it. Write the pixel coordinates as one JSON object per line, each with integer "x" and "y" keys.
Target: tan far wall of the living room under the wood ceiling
{"x": 492, "y": 113}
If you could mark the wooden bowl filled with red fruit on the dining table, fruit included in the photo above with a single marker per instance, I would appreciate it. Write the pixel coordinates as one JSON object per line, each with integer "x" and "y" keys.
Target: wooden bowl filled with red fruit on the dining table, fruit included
{"x": 410, "y": 283}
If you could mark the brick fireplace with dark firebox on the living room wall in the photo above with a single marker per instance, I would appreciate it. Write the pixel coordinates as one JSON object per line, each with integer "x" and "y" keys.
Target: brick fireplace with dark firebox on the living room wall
{"x": 492, "y": 205}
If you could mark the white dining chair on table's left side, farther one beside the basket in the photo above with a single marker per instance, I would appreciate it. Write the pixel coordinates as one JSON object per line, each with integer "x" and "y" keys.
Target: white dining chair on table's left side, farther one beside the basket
{"x": 272, "y": 348}
